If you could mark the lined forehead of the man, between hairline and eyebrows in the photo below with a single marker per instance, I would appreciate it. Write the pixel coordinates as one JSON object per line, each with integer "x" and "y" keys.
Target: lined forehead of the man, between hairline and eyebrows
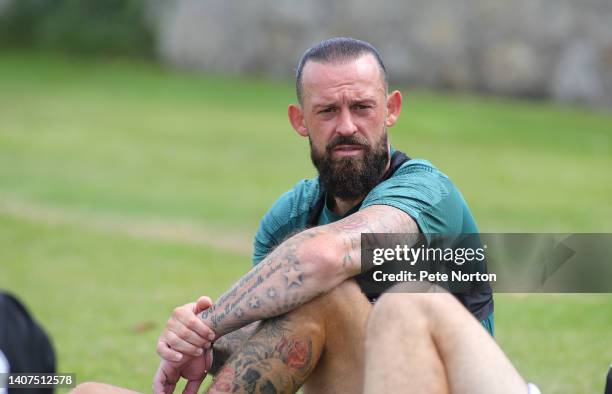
{"x": 362, "y": 73}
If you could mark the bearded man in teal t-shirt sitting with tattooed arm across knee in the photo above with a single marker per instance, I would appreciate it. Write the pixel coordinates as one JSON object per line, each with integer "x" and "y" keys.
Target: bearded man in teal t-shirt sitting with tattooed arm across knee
{"x": 298, "y": 317}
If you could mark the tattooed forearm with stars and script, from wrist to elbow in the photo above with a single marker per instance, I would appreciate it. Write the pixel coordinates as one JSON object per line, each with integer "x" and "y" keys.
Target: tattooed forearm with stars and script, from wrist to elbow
{"x": 298, "y": 270}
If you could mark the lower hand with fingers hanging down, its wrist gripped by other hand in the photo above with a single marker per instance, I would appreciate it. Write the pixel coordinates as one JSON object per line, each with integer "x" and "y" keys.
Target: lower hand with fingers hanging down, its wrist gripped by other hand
{"x": 192, "y": 369}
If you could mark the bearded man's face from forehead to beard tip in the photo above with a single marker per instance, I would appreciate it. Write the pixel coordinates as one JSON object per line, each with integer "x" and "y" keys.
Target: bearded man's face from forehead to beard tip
{"x": 344, "y": 108}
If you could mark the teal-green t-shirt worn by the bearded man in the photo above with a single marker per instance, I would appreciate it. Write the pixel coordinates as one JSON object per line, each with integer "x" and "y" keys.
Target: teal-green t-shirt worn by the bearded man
{"x": 417, "y": 188}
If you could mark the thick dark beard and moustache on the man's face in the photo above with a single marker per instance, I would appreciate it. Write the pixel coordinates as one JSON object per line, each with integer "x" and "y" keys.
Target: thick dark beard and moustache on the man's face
{"x": 349, "y": 178}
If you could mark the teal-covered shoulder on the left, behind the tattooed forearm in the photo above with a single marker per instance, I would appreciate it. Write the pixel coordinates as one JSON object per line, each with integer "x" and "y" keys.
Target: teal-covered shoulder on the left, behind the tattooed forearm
{"x": 286, "y": 216}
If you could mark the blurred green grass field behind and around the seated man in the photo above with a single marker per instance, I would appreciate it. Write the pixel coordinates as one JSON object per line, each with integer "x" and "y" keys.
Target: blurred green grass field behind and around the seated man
{"x": 123, "y": 188}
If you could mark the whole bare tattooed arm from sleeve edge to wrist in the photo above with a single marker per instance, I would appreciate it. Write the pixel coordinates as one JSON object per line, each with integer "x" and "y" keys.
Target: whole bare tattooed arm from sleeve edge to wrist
{"x": 303, "y": 267}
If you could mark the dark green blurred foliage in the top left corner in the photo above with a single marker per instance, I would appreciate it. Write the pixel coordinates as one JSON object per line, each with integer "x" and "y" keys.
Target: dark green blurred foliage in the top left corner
{"x": 115, "y": 27}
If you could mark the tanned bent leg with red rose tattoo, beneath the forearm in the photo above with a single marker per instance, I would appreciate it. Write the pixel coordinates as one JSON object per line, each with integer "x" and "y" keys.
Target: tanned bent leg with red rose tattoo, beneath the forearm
{"x": 320, "y": 343}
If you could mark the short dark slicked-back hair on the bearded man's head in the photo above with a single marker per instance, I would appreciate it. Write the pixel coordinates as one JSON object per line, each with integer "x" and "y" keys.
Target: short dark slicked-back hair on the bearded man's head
{"x": 336, "y": 49}
